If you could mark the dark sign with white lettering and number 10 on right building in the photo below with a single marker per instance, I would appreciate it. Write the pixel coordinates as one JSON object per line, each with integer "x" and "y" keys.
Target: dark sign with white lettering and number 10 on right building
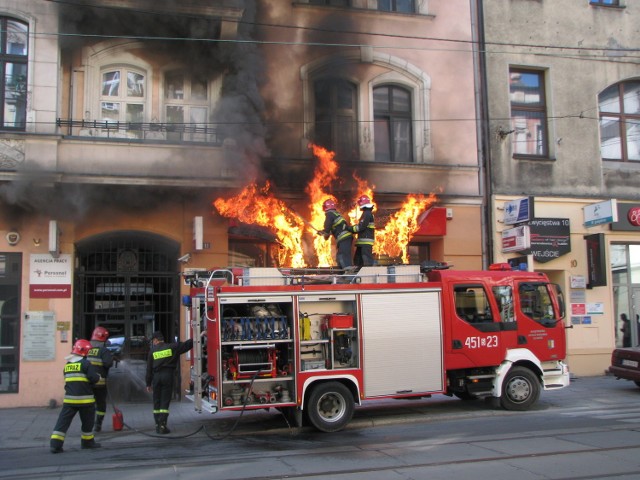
{"x": 550, "y": 238}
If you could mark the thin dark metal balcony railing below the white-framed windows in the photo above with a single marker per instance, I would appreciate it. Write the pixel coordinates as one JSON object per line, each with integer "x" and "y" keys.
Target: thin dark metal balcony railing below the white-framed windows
{"x": 161, "y": 132}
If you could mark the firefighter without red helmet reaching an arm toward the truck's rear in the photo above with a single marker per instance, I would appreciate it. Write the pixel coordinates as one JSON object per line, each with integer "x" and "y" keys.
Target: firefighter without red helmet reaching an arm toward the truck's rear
{"x": 161, "y": 366}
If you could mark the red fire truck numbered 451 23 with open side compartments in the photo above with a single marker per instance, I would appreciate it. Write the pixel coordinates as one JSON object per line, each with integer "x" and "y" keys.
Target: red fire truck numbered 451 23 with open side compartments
{"x": 315, "y": 343}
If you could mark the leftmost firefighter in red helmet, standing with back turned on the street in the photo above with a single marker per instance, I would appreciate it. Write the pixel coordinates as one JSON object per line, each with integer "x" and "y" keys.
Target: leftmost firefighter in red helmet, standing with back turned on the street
{"x": 79, "y": 377}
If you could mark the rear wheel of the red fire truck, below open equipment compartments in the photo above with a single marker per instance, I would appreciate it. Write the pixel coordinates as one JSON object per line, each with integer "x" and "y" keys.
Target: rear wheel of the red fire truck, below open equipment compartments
{"x": 330, "y": 406}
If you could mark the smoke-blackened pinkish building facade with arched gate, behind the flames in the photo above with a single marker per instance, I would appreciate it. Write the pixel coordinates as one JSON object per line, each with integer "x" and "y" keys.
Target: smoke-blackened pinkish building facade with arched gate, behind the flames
{"x": 124, "y": 121}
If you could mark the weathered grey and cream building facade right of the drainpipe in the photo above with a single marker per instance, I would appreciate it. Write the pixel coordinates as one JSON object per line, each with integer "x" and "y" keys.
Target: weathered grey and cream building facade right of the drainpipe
{"x": 562, "y": 89}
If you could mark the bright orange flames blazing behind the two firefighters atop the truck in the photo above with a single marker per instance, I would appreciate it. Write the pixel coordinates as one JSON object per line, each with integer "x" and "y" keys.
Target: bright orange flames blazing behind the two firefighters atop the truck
{"x": 254, "y": 205}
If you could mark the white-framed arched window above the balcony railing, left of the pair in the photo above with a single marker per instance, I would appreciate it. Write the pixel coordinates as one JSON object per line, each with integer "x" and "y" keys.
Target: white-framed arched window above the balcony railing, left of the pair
{"x": 123, "y": 96}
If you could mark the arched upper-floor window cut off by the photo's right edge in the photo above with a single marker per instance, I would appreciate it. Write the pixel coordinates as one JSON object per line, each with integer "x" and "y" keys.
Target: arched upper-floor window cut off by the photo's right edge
{"x": 619, "y": 107}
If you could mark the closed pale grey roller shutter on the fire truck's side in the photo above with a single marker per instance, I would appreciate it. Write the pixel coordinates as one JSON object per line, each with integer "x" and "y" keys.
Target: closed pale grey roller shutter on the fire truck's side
{"x": 402, "y": 335}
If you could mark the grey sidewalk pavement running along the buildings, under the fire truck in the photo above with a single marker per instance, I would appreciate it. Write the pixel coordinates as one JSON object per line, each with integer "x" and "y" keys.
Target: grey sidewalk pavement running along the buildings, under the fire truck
{"x": 31, "y": 426}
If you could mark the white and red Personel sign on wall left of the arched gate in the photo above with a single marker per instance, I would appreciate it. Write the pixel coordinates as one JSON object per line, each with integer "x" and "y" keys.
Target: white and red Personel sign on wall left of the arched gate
{"x": 50, "y": 277}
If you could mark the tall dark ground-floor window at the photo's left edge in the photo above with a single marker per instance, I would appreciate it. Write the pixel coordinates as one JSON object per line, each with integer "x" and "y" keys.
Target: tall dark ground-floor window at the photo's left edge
{"x": 10, "y": 281}
